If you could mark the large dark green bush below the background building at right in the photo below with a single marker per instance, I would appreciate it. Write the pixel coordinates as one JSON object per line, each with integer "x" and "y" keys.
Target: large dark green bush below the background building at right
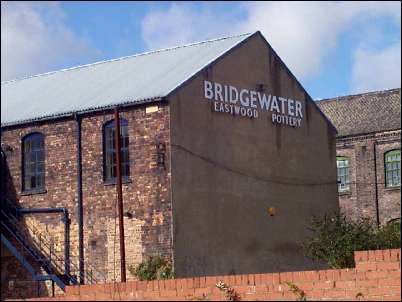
{"x": 335, "y": 238}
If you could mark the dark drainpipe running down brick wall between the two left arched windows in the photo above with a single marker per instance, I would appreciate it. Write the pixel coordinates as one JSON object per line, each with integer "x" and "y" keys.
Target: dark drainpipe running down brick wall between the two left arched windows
{"x": 79, "y": 202}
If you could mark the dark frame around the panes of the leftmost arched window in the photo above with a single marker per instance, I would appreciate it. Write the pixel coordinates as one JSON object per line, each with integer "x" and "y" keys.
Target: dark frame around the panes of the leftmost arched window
{"x": 38, "y": 189}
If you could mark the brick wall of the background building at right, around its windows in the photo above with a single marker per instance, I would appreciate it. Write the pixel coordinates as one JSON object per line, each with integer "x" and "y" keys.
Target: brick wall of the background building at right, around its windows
{"x": 360, "y": 200}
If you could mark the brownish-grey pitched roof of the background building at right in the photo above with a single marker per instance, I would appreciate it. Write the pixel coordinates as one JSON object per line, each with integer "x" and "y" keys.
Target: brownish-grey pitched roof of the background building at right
{"x": 364, "y": 113}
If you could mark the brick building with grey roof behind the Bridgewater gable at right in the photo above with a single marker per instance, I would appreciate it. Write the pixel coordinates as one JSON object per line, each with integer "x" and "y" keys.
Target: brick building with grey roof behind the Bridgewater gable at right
{"x": 368, "y": 152}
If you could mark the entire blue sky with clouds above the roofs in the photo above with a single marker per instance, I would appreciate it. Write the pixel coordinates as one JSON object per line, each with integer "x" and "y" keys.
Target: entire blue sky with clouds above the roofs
{"x": 333, "y": 48}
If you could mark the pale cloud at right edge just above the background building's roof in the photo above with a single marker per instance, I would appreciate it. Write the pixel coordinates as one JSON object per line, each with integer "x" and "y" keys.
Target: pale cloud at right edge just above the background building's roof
{"x": 376, "y": 70}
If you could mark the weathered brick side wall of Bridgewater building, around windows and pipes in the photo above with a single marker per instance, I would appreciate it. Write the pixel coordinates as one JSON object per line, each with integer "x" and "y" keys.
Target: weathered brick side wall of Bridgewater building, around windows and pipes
{"x": 146, "y": 195}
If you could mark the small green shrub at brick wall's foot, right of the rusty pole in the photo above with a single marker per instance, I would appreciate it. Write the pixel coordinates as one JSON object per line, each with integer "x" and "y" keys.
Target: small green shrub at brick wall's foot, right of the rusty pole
{"x": 153, "y": 268}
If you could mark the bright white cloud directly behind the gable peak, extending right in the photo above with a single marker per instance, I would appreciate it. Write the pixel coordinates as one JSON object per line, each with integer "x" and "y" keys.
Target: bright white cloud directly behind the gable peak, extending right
{"x": 305, "y": 33}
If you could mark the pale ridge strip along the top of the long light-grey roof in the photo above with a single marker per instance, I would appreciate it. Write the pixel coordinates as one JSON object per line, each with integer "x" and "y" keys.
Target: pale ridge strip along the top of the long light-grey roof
{"x": 125, "y": 57}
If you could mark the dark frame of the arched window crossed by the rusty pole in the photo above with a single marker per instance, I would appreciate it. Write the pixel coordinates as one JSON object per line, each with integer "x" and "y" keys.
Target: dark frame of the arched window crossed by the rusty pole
{"x": 110, "y": 125}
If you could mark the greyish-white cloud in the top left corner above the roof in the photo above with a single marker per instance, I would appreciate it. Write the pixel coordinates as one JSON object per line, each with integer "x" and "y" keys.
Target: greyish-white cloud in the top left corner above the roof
{"x": 36, "y": 39}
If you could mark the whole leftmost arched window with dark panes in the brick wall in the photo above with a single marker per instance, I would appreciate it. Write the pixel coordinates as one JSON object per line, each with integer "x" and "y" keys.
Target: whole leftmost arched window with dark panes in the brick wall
{"x": 33, "y": 162}
